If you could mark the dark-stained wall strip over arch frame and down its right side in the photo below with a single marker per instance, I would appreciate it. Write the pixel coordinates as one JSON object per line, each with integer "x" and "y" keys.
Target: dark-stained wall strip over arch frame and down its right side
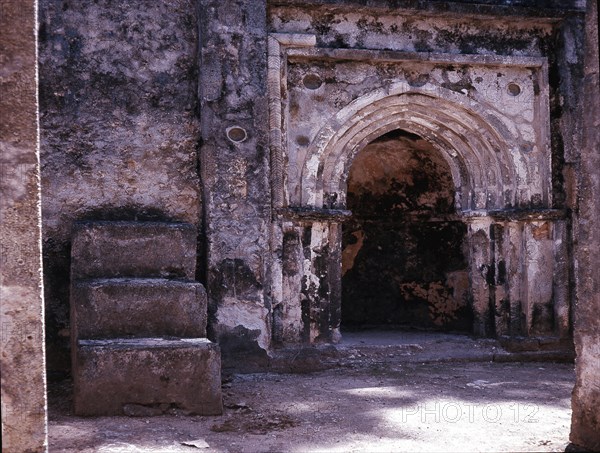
{"x": 513, "y": 28}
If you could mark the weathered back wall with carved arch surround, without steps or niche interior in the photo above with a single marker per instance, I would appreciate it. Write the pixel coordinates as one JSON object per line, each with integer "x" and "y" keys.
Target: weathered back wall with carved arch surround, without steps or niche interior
{"x": 172, "y": 112}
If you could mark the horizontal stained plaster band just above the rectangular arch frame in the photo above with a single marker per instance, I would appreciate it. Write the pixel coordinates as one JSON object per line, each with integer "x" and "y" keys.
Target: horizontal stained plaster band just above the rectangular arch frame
{"x": 339, "y": 26}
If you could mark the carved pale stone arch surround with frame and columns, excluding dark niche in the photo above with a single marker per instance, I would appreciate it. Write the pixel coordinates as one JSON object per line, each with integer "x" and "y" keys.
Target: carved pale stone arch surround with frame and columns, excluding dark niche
{"x": 485, "y": 92}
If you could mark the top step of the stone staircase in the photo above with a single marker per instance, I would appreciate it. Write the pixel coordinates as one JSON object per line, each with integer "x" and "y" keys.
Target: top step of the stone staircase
{"x": 103, "y": 249}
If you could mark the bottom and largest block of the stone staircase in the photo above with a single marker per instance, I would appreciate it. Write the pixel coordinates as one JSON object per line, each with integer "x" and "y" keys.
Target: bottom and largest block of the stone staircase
{"x": 147, "y": 376}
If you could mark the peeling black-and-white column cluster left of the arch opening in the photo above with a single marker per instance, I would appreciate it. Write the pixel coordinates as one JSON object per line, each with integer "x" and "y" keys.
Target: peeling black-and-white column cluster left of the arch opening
{"x": 311, "y": 262}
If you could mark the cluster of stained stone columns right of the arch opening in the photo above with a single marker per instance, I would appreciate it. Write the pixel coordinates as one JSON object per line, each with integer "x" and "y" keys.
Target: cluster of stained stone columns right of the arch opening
{"x": 519, "y": 274}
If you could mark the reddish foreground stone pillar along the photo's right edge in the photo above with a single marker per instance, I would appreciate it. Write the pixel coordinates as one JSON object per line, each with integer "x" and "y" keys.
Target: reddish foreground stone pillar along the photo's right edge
{"x": 585, "y": 427}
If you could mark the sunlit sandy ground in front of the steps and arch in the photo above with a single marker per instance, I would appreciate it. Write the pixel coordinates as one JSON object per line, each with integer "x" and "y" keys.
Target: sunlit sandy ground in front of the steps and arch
{"x": 388, "y": 401}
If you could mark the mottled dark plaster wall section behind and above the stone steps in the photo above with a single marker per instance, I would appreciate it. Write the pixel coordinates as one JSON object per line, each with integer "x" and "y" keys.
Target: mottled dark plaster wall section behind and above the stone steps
{"x": 118, "y": 126}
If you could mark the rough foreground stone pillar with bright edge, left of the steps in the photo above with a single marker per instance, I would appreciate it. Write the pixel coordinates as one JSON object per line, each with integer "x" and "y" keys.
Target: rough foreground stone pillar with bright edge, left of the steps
{"x": 21, "y": 301}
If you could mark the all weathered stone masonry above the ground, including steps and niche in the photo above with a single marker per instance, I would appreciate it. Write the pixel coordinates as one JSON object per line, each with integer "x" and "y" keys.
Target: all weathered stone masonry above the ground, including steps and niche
{"x": 236, "y": 180}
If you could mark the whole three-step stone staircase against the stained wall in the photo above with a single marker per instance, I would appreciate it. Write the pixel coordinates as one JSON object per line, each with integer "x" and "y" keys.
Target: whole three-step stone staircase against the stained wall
{"x": 138, "y": 322}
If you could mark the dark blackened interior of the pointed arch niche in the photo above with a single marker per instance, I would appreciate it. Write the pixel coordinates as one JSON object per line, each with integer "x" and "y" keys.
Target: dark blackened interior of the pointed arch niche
{"x": 404, "y": 263}
